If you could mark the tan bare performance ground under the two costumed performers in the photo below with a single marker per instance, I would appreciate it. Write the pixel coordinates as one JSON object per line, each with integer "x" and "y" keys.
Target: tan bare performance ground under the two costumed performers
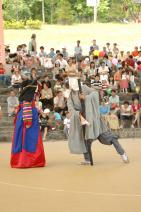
{"x": 64, "y": 186}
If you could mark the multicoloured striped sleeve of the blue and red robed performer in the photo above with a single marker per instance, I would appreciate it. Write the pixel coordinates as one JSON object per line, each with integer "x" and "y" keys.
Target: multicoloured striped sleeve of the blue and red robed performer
{"x": 27, "y": 113}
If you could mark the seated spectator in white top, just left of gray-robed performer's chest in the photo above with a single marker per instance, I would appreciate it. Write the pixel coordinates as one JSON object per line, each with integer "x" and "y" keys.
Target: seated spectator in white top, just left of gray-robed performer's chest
{"x": 59, "y": 101}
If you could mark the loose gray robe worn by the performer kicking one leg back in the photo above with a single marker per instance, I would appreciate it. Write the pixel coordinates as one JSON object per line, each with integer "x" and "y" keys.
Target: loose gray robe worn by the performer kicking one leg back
{"x": 76, "y": 139}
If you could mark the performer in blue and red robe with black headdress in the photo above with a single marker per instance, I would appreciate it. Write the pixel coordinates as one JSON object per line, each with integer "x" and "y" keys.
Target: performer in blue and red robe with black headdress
{"x": 27, "y": 145}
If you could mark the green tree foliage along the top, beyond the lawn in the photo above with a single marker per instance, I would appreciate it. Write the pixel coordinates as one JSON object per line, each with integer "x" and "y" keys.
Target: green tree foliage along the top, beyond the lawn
{"x": 69, "y": 11}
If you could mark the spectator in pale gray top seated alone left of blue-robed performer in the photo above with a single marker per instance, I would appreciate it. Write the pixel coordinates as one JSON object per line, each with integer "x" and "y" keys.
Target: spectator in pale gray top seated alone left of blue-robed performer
{"x": 13, "y": 102}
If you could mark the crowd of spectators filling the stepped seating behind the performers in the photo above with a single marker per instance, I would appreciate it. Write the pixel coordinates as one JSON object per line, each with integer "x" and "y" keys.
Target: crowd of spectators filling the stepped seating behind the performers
{"x": 109, "y": 70}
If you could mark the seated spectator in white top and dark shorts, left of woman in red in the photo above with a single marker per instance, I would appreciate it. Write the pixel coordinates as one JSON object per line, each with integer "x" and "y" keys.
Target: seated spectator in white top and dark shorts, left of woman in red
{"x": 125, "y": 114}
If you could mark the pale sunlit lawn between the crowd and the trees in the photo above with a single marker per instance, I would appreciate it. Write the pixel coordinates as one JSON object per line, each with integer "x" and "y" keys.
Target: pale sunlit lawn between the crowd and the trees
{"x": 126, "y": 35}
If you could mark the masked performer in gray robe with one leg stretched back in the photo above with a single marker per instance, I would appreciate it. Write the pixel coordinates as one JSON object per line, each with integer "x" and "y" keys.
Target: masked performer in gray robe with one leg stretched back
{"x": 95, "y": 128}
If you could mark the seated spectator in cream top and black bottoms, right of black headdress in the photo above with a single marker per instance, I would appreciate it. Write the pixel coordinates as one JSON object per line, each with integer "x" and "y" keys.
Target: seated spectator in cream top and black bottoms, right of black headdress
{"x": 46, "y": 95}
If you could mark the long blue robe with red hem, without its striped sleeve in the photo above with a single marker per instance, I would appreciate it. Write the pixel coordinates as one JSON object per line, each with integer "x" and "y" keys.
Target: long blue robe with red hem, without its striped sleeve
{"x": 27, "y": 146}
